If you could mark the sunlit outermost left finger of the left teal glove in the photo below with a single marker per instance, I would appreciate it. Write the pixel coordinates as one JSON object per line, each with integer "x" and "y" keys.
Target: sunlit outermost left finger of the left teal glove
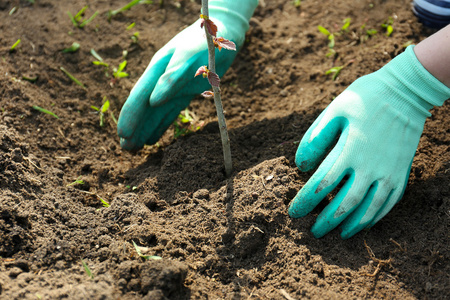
{"x": 136, "y": 106}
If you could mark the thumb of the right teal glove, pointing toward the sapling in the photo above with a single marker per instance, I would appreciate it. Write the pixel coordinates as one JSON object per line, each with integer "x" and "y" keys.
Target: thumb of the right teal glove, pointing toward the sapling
{"x": 318, "y": 140}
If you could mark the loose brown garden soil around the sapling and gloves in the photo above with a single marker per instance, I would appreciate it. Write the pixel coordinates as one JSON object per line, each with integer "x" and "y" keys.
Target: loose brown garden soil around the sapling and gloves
{"x": 218, "y": 238}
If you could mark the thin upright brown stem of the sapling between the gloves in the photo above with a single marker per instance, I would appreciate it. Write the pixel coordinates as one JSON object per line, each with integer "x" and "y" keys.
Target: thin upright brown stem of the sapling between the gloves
{"x": 217, "y": 100}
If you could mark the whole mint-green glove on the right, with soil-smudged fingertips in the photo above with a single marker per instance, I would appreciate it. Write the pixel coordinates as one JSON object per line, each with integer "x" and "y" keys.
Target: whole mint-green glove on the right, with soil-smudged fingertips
{"x": 378, "y": 121}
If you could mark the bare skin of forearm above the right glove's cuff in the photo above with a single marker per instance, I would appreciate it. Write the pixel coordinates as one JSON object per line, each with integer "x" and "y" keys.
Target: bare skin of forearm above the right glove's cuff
{"x": 434, "y": 54}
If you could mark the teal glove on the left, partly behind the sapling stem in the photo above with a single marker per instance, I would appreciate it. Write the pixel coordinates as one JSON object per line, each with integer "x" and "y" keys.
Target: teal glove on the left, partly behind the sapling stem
{"x": 168, "y": 84}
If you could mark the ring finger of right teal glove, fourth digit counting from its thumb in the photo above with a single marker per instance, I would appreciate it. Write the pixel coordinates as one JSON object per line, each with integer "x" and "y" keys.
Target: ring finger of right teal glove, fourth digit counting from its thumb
{"x": 360, "y": 218}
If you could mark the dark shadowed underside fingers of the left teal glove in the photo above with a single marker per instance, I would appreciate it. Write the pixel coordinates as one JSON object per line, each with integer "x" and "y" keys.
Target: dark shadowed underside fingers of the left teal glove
{"x": 154, "y": 123}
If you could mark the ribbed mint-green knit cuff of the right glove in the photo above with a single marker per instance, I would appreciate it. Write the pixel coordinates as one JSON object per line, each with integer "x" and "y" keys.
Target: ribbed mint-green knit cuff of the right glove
{"x": 417, "y": 87}
